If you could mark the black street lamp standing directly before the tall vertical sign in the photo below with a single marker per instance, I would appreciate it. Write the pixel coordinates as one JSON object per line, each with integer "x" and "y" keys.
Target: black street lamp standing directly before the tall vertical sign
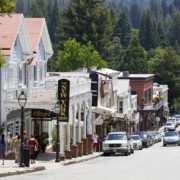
{"x": 56, "y": 110}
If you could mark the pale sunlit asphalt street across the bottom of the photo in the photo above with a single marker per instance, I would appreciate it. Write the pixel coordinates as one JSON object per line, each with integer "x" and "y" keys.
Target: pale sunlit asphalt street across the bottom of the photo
{"x": 156, "y": 162}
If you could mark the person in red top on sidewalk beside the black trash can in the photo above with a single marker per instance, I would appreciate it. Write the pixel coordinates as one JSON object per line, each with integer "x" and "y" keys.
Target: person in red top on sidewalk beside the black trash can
{"x": 33, "y": 143}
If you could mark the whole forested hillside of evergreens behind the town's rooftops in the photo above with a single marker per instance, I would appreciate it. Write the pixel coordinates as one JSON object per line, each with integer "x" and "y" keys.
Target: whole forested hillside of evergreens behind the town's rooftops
{"x": 141, "y": 36}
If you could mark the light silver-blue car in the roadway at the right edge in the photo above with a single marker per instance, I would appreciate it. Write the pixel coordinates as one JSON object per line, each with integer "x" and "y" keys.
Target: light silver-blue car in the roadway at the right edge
{"x": 171, "y": 137}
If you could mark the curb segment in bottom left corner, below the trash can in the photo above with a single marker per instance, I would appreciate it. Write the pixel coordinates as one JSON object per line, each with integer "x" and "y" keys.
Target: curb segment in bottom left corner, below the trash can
{"x": 34, "y": 169}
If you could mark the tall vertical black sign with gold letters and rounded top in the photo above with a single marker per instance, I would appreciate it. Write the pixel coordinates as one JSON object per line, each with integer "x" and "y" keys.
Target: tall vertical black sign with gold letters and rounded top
{"x": 63, "y": 97}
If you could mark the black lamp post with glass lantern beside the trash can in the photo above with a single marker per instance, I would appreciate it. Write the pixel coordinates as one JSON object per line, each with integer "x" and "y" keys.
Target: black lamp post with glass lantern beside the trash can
{"x": 22, "y": 99}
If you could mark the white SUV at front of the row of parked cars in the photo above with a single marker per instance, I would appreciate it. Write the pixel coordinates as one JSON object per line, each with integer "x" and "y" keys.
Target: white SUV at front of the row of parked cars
{"x": 117, "y": 142}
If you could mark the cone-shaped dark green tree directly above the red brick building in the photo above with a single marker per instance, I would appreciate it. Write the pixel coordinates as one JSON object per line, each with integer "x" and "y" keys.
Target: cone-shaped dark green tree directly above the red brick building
{"x": 133, "y": 58}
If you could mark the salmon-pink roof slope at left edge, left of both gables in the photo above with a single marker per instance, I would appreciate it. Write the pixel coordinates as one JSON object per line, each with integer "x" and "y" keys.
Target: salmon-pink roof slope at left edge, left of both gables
{"x": 9, "y": 25}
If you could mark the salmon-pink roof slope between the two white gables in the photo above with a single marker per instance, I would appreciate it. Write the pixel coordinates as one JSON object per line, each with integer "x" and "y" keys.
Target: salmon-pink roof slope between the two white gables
{"x": 34, "y": 29}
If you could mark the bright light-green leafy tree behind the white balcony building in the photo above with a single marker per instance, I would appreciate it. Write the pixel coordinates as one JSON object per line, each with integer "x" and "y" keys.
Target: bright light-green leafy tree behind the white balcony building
{"x": 74, "y": 56}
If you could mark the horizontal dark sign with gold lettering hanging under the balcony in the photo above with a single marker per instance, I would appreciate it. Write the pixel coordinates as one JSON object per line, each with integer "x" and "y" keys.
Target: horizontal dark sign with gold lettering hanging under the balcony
{"x": 41, "y": 113}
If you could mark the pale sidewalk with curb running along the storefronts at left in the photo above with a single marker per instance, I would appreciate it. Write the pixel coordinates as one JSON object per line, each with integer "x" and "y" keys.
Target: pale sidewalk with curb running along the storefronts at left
{"x": 44, "y": 161}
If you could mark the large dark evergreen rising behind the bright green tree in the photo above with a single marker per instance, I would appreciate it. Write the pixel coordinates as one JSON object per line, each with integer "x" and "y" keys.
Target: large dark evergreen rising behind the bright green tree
{"x": 87, "y": 21}
